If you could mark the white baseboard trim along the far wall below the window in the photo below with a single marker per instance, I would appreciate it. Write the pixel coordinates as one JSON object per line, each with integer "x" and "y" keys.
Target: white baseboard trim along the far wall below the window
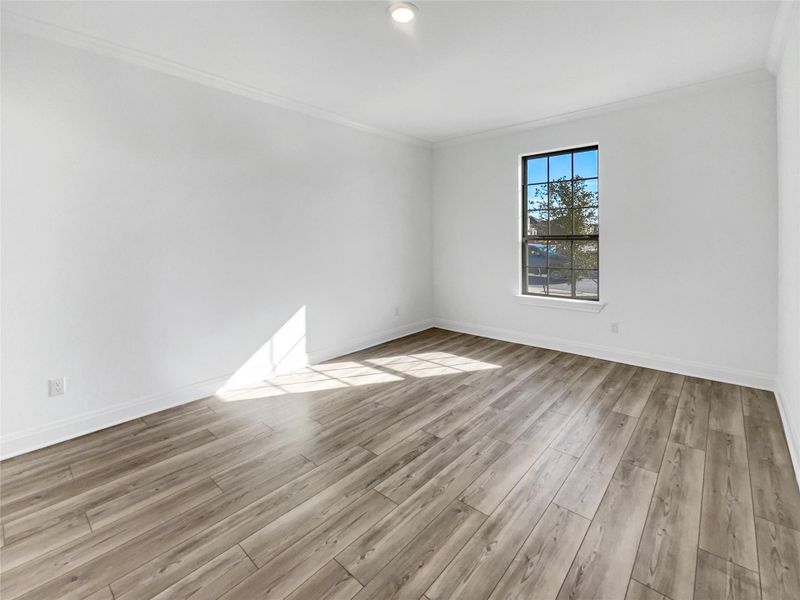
{"x": 641, "y": 359}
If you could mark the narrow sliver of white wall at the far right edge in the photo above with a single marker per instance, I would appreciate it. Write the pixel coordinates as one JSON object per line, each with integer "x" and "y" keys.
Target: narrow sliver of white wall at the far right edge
{"x": 788, "y": 379}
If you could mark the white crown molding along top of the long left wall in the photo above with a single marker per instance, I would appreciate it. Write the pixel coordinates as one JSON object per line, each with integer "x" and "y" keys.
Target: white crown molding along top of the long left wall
{"x": 75, "y": 39}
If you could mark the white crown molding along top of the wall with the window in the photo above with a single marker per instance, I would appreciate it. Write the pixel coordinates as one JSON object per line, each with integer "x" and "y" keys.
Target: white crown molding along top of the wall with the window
{"x": 693, "y": 88}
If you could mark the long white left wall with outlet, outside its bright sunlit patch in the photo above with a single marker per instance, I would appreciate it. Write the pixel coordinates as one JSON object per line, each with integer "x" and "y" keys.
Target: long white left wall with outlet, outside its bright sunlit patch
{"x": 156, "y": 233}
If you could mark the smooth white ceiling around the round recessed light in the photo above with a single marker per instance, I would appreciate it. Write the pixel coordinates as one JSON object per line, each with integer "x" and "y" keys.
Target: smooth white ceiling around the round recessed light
{"x": 460, "y": 68}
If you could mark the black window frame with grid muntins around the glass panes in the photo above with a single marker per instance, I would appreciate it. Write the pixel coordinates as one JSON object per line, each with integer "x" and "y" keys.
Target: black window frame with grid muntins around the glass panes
{"x": 526, "y": 238}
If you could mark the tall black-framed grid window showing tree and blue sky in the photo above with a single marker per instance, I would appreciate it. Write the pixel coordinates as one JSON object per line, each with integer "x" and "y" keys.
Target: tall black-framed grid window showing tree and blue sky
{"x": 560, "y": 227}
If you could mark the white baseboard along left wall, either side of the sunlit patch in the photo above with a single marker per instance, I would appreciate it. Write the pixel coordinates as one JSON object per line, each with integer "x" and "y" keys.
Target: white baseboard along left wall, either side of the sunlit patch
{"x": 16, "y": 443}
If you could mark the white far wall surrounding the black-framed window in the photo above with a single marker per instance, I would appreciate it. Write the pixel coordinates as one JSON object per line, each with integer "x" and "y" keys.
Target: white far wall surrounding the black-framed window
{"x": 687, "y": 243}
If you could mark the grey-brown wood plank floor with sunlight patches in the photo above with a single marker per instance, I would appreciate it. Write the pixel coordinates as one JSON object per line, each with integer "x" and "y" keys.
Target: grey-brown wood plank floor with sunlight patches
{"x": 439, "y": 465}
